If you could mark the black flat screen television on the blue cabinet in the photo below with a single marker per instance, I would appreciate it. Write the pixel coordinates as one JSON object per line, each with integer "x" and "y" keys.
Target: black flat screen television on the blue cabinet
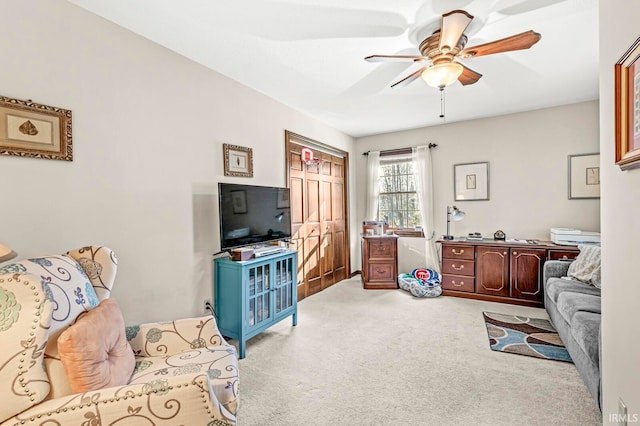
{"x": 252, "y": 215}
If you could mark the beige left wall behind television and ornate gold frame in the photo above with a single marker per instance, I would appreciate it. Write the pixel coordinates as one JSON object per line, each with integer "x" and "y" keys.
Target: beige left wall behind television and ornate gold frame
{"x": 148, "y": 129}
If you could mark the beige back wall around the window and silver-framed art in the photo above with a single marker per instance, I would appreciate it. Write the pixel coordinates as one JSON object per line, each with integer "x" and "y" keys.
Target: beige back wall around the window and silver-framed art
{"x": 527, "y": 154}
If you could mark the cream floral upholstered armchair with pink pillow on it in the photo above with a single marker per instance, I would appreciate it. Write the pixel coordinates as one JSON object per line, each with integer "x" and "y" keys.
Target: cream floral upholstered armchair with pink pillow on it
{"x": 67, "y": 358}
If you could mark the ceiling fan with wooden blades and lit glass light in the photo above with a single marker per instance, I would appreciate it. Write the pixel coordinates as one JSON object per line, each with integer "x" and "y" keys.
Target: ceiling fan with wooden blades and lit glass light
{"x": 447, "y": 45}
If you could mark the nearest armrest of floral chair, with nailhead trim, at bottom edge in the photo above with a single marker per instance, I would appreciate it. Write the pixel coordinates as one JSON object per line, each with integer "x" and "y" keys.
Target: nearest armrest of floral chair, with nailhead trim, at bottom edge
{"x": 167, "y": 401}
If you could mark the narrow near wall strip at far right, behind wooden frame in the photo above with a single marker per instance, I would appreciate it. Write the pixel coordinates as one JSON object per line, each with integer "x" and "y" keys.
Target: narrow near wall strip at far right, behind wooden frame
{"x": 620, "y": 228}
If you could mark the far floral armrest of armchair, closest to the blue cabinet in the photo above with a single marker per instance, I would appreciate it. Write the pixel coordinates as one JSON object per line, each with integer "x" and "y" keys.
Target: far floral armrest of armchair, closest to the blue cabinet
{"x": 167, "y": 338}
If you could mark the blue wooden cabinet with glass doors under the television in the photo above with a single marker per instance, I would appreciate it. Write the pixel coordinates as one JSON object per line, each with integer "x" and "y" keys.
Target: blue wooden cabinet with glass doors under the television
{"x": 250, "y": 296}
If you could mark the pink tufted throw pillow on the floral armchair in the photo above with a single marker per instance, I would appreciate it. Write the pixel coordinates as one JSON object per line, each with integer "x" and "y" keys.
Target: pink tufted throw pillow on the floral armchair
{"x": 94, "y": 351}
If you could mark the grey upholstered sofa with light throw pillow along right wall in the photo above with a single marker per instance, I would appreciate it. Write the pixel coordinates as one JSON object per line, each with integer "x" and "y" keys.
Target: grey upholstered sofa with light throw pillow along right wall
{"x": 572, "y": 300}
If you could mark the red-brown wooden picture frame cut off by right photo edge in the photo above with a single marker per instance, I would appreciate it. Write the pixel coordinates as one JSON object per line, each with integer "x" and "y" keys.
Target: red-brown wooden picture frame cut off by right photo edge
{"x": 627, "y": 108}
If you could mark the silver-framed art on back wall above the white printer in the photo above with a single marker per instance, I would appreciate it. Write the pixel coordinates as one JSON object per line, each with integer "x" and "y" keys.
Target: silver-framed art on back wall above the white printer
{"x": 584, "y": 176}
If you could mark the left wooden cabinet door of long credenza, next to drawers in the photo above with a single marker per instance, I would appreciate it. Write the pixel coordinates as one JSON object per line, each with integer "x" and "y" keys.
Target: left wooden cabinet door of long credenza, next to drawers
{"x": 492, "y": 271}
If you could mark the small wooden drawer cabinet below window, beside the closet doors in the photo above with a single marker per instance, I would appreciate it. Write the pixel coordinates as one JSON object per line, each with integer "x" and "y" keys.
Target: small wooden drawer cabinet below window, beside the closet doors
{"x": 379, "y": 262}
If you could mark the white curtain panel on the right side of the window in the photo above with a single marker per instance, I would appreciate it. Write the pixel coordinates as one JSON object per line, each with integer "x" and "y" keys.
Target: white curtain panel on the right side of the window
{"x": 423, "y": 175}
